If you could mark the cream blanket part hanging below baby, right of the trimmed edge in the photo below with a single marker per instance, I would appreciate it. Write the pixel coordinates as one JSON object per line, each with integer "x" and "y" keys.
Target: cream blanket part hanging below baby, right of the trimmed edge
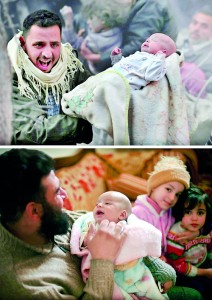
{"x": 157, "y": 113}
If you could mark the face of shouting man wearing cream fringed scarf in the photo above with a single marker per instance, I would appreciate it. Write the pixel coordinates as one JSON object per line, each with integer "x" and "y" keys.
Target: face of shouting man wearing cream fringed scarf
{"x": 43, "y": 46}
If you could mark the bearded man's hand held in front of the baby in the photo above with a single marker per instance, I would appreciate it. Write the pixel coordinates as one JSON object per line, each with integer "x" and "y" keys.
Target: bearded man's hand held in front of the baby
{"x": 106, "y": 242}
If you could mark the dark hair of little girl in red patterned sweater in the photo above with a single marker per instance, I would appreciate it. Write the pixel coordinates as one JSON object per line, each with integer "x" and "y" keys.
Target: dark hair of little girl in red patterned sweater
{"x": 189, "y": 199}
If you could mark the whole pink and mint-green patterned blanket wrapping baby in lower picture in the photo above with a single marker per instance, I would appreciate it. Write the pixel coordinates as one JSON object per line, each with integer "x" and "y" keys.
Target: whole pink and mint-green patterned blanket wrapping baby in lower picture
{"x": 131, "y": 275}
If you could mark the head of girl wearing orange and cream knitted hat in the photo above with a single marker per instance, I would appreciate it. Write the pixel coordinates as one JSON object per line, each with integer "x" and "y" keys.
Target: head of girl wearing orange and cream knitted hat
{"x": 168, "y": 181}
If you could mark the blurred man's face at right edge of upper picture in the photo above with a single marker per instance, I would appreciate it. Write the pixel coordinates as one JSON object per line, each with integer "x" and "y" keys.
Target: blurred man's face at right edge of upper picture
{"x": 200, "y": 28}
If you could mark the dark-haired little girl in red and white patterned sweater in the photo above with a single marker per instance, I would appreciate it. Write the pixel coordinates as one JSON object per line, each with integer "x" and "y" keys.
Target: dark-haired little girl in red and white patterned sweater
{"x": 192, "y": 261}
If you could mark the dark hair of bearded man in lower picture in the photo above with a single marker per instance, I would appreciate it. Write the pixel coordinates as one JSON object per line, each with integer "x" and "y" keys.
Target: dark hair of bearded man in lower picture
{"x": 20, "y": 180}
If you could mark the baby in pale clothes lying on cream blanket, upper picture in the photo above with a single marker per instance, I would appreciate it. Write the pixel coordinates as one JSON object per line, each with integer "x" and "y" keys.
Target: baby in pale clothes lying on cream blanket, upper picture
{"x": 146, "y": 65}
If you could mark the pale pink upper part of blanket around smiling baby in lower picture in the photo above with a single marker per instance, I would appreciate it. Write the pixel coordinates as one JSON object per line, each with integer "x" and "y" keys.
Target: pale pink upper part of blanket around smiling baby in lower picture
{"x": 142, "y": 239}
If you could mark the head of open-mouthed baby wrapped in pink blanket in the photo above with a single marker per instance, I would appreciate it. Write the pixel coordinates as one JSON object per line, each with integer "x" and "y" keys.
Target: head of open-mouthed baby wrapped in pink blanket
{"x": 112, "y": 206}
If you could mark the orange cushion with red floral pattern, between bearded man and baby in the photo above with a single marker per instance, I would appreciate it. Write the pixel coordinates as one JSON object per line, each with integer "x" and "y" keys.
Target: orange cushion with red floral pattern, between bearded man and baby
{"x": 83, "y": 182}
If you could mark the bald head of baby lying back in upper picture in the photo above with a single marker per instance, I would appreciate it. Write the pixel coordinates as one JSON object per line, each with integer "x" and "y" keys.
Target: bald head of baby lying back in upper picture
{"x": 159, "y": 42}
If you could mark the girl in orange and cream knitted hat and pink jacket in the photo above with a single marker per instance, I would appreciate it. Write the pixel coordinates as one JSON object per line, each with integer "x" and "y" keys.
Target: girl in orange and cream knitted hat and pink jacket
{"x": 165, "y": 184}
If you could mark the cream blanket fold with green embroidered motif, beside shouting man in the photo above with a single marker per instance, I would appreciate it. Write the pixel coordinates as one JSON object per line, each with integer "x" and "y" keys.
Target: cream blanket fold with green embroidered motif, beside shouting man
{"x": 103, "y": 100}
